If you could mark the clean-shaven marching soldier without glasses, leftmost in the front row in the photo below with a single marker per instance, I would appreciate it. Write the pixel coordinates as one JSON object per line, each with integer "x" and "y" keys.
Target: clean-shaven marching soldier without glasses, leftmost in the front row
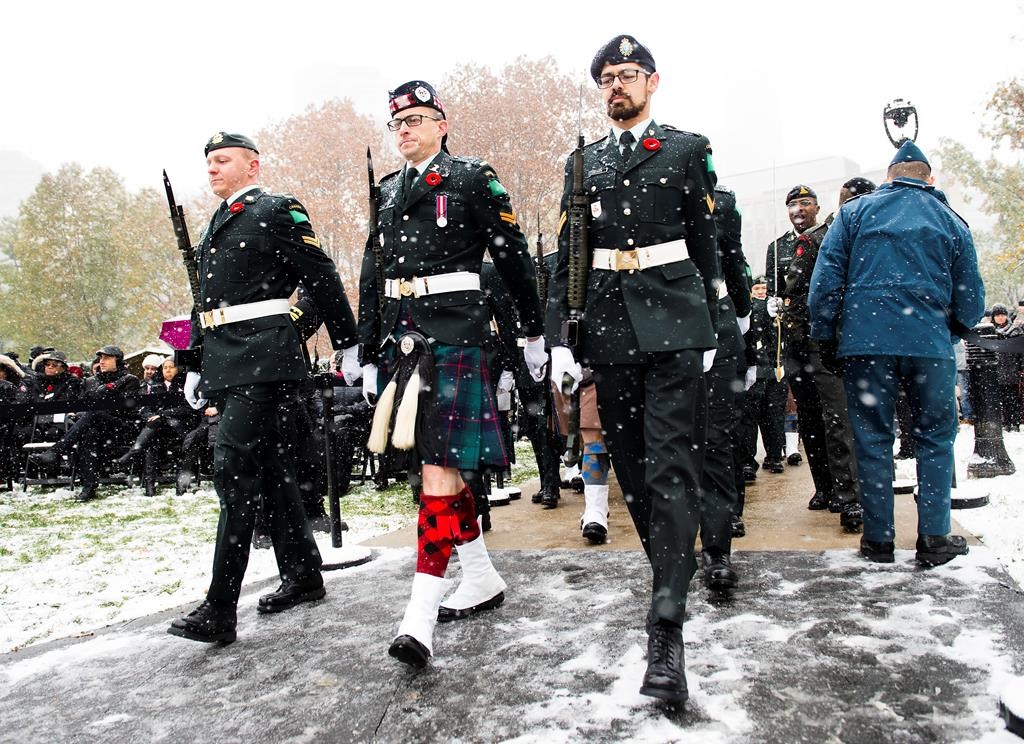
{"x": 258, "y": 249}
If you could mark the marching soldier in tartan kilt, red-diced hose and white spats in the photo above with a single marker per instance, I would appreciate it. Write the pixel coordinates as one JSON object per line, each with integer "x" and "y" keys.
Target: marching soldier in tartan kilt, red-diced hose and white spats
{"x": 437, "y": 218}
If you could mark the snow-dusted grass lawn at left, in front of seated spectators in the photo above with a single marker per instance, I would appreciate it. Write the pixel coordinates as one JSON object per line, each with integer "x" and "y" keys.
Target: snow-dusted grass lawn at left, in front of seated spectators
{"x": 68, "y": 568}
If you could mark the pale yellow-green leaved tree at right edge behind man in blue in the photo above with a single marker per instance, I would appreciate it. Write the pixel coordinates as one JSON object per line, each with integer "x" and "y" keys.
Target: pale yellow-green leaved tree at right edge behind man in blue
{"x": 1001, "y": 185}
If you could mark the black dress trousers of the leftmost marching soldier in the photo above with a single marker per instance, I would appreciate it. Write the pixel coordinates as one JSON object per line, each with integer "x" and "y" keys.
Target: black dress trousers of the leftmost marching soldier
{"x": 249, "y": 460}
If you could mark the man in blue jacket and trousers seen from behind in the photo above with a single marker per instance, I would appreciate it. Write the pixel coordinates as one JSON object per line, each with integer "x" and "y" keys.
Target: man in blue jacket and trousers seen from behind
{"x": 898, "y": 276}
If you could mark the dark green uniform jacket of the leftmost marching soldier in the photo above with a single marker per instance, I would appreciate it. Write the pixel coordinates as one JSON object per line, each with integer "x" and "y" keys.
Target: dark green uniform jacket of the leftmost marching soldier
{"x": 263, "y": 252}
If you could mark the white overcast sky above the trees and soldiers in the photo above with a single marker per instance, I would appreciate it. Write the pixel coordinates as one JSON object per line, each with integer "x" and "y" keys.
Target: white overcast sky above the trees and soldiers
{"x": 141, "y": 86}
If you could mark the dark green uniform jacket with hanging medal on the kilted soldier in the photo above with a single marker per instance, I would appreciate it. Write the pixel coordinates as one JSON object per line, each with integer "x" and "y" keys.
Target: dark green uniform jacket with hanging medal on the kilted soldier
{"x": 445, "y": 226}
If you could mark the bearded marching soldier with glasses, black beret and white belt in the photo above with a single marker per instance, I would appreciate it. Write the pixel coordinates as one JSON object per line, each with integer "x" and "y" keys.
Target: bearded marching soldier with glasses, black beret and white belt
{"x": 650, "y": 318}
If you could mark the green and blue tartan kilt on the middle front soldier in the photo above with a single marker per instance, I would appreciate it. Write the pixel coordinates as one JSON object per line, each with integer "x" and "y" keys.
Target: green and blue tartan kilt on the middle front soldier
{"x": 462, "y": 429}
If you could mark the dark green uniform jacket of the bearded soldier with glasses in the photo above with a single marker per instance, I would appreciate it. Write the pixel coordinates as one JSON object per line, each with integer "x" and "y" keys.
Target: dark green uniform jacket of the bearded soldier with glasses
{"x": 662, "y": 194}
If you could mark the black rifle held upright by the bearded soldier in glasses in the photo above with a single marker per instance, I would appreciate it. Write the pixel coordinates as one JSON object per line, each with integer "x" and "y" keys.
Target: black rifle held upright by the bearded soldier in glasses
{"x": 577, "y": 292}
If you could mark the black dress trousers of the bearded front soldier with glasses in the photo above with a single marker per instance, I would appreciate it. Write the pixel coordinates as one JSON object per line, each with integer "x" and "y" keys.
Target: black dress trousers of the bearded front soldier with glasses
{"x": 654, "y": 419}
